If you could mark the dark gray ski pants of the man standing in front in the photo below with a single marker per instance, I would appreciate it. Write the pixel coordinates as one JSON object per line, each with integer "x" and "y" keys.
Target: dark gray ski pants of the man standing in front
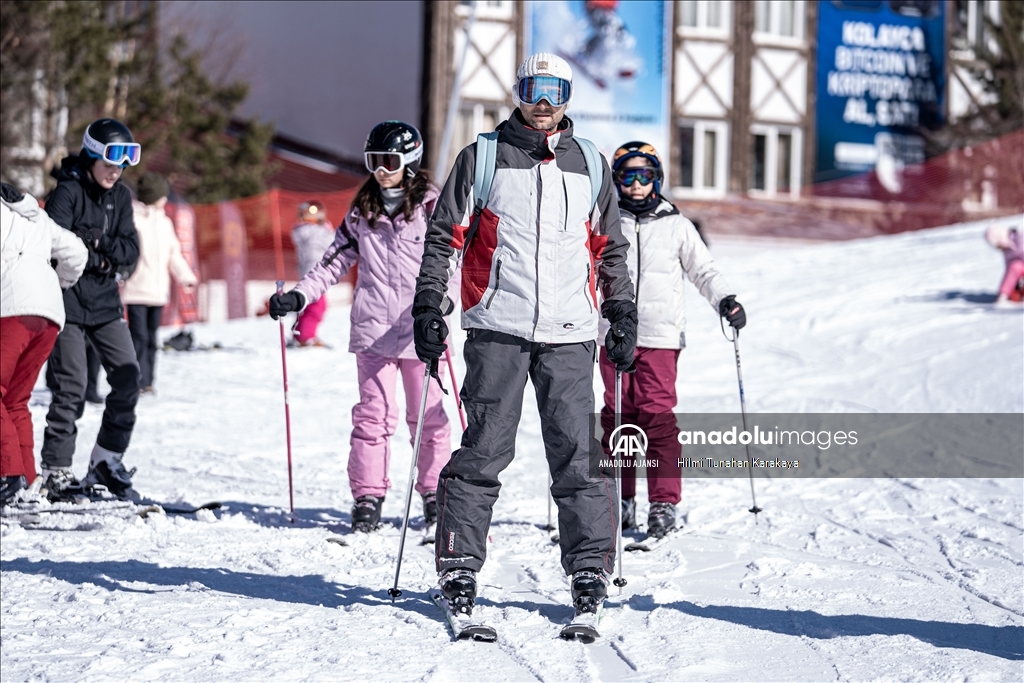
{"x": 497, "y": 368}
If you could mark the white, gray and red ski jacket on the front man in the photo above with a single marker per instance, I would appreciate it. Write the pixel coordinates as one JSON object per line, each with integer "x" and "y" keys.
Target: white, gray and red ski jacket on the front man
{"x": 533, "y": 268}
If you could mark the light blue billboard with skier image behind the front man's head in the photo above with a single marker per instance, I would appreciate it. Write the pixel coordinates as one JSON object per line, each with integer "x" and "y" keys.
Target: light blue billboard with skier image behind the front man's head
{"x": 620, "y": 55}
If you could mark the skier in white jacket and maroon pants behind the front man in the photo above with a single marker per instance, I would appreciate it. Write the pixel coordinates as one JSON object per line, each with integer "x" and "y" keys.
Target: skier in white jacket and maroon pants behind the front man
{"x": 665, "y": 247}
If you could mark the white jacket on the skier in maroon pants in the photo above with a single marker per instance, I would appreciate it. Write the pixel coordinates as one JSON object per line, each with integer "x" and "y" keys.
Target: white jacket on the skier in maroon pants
{"x": 664, "y": 246}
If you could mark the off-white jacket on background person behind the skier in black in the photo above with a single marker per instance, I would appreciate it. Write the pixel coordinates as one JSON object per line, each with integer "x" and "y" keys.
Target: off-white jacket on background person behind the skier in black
{"x": 159, "y": 259}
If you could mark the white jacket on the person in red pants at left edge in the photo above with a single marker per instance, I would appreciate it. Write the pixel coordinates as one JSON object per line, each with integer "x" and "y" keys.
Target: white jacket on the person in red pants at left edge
{"x": 29, "y": 240}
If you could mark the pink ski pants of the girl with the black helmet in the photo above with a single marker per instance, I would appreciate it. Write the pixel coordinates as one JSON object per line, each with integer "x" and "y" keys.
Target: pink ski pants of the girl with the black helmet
{"x": 375, "y": 420}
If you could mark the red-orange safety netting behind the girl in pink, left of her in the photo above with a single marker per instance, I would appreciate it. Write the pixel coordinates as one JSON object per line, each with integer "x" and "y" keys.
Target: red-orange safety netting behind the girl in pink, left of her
{"x": 269, "y": 220}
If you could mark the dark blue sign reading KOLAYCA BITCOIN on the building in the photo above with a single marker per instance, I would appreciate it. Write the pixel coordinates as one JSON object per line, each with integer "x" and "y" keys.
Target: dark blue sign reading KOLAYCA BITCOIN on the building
{"x": 881, "y": 78}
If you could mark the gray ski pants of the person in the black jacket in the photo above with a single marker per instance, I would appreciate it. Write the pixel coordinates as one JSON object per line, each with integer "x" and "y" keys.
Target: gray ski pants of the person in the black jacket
{"x": 113, "y": 344}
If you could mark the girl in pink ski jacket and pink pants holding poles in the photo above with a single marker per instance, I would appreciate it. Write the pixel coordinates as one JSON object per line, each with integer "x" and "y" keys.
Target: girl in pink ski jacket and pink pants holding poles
{"x": 383, "y": 232}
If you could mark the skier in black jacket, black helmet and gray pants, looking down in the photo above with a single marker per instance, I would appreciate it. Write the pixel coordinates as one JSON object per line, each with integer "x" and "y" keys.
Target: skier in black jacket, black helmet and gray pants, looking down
{"x": 92, "y": 201}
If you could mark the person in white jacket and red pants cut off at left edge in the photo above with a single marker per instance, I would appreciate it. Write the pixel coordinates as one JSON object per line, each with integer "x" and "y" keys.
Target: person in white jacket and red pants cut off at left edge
{"x": 31, "y": 316}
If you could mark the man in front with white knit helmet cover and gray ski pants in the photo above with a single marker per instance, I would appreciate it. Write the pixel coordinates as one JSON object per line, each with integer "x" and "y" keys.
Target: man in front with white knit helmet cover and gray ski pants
{"x": 533, "y": 252}
